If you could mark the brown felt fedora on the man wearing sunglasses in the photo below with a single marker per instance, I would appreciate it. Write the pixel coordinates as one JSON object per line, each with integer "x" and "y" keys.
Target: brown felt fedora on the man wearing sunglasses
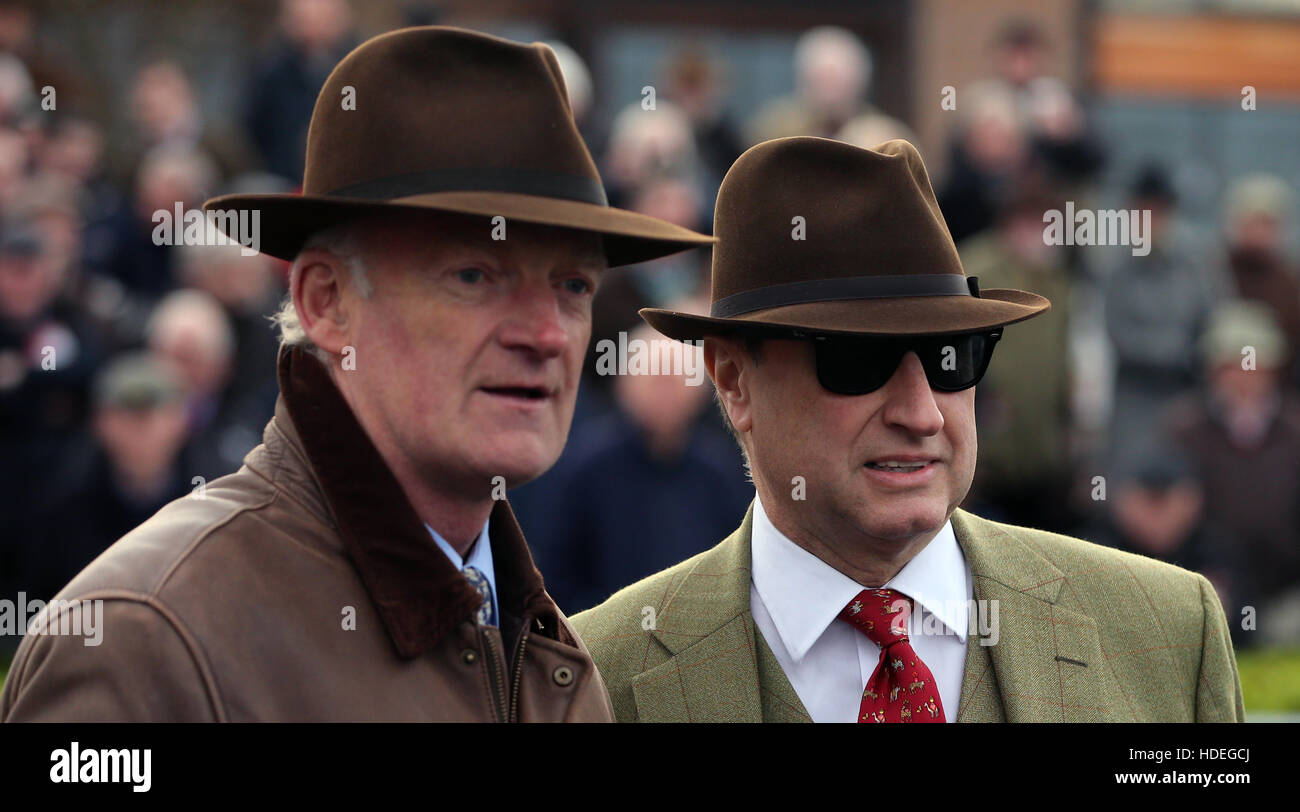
{"x": 816, "y": 236}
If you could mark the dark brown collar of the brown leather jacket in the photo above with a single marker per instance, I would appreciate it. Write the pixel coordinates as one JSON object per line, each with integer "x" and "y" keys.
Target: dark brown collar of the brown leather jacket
{"x": 419, "y": 594}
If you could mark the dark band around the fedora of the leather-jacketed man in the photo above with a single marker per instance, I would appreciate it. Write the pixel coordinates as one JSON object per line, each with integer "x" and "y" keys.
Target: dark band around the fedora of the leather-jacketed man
{"x": 491, "y": 180}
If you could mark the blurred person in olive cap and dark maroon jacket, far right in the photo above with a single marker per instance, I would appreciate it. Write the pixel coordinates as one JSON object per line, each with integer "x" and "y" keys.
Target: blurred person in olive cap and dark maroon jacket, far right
{"x": 1243, "y": 438}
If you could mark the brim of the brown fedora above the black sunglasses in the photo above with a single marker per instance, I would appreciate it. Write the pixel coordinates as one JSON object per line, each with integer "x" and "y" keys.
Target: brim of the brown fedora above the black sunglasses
{"x": 895, "y": 316}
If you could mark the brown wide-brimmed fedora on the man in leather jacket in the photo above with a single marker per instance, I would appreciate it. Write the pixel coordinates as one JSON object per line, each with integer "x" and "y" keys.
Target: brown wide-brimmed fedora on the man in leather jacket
{"x": 453, "y": 121}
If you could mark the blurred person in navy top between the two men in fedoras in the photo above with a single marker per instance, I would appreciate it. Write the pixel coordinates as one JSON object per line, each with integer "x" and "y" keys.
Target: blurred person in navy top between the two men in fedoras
{"x": 643, "y": 487}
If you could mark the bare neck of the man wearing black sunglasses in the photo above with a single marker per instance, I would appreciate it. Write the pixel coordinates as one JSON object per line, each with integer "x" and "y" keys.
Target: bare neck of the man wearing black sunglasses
{"x": 868, "y": 561}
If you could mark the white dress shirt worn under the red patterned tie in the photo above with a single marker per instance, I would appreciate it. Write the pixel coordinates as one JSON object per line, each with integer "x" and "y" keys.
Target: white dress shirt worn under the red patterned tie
{"x": 796, "y": 600}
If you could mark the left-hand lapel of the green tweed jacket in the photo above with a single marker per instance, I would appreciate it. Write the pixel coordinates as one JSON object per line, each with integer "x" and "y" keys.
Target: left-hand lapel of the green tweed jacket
{"x": 721, "y": 668}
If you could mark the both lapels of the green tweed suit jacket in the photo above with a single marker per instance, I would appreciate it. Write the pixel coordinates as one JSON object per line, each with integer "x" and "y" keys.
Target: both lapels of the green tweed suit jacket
{"x": 1029, "y": 675}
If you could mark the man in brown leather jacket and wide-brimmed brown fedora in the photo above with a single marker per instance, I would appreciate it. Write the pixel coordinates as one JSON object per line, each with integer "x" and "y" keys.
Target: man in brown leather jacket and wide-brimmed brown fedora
{"x": 365, "y": 565}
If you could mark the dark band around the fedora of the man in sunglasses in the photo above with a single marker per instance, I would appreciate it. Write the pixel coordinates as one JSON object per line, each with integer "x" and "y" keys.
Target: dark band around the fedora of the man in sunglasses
{"x": 844, "y": 289}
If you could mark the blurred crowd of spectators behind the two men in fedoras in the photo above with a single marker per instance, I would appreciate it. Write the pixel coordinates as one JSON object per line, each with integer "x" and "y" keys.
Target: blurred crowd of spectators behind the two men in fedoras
{"x": 1154, "y": 409}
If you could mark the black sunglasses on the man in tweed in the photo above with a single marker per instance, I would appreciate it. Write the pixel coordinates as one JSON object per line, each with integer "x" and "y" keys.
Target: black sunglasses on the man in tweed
{"x": 857, "y": 366}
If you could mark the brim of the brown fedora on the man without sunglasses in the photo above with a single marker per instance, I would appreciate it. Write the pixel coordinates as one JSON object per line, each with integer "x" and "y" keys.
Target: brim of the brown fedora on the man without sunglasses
{"x": 287, "y": 222}
